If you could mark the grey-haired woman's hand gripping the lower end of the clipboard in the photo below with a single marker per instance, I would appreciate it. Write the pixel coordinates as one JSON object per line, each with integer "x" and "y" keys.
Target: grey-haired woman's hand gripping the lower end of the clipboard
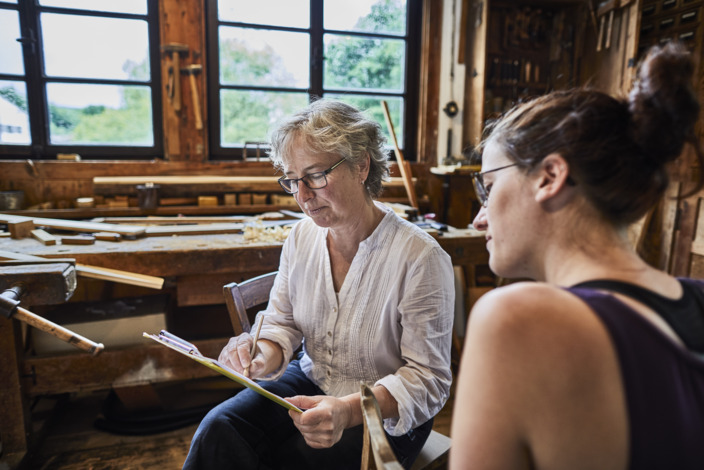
{"x": 324, "y": 419}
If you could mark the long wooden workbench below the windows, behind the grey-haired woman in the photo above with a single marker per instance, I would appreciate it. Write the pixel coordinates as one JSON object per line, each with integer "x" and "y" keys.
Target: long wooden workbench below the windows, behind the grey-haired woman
{"x": 195, "y": 268}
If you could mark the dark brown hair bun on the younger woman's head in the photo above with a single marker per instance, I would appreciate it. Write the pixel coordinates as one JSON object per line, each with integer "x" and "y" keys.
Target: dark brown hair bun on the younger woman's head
{"x": 662, "y": 103}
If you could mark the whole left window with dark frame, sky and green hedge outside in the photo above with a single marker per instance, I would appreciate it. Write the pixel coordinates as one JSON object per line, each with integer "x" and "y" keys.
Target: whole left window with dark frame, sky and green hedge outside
{"x": 79, "y": 76}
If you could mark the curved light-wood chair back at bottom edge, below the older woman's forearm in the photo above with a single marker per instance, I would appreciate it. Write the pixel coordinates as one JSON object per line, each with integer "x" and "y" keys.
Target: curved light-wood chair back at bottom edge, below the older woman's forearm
{"x": 376, "y": 451}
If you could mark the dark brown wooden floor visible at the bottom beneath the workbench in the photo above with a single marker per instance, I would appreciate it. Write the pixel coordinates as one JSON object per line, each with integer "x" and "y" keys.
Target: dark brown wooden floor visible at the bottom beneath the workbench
{"x": 72, "y": 442}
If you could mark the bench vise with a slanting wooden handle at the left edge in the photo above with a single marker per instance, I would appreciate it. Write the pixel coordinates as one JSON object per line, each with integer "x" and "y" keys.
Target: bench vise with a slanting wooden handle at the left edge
{"x": 44, "y": 282}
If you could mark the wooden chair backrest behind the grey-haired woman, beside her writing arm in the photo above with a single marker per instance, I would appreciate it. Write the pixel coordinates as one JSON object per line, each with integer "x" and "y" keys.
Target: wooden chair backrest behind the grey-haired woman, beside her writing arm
{"x": 239, "y": 297}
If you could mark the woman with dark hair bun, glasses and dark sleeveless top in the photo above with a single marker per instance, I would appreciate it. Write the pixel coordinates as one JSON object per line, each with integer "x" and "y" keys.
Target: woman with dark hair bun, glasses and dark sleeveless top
{"x": 598, "y": 363}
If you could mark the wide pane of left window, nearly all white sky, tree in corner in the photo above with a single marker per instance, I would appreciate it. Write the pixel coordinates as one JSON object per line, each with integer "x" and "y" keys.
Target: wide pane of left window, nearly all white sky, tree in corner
{"x": 93, "y": 47}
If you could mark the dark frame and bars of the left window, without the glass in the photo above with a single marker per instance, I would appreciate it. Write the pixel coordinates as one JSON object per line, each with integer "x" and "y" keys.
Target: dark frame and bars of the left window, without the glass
{"x": 36, "y": 80}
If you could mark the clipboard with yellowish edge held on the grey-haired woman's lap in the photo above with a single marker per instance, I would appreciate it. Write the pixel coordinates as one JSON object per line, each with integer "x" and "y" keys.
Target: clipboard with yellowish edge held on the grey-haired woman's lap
{"x": 190, "y": 350}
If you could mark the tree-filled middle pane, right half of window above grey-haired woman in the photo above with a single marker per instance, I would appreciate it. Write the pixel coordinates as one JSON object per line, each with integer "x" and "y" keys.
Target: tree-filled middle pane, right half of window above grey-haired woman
{"x": 354, "y": 63}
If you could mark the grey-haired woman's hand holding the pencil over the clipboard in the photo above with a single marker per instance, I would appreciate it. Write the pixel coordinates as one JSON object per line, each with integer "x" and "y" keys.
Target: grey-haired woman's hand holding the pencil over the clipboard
{"x": 237, "y": 356}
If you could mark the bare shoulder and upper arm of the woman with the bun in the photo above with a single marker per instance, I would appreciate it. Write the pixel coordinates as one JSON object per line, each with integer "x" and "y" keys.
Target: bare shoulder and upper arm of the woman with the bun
{"x": 545, "y": 362}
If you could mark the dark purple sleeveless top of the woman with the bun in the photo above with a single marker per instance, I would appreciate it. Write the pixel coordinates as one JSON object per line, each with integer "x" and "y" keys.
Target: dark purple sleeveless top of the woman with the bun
{"x": 663, "y": 382}
